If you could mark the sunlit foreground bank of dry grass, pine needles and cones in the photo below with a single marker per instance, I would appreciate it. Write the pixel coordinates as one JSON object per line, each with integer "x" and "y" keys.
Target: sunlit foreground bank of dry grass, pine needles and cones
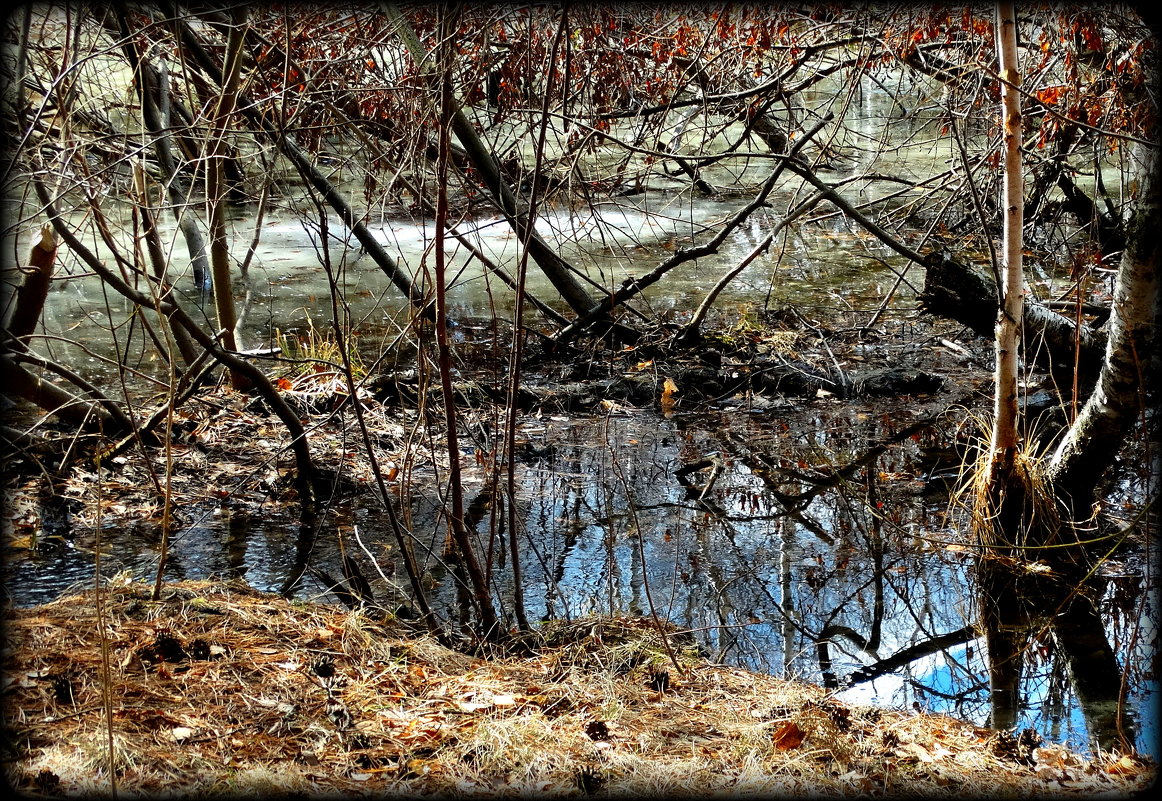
{"x": 220, "y": 691}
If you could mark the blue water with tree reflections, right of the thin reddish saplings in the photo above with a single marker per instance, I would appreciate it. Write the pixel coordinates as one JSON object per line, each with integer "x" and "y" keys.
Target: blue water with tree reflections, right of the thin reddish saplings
{"x": 824, "y": 553}
